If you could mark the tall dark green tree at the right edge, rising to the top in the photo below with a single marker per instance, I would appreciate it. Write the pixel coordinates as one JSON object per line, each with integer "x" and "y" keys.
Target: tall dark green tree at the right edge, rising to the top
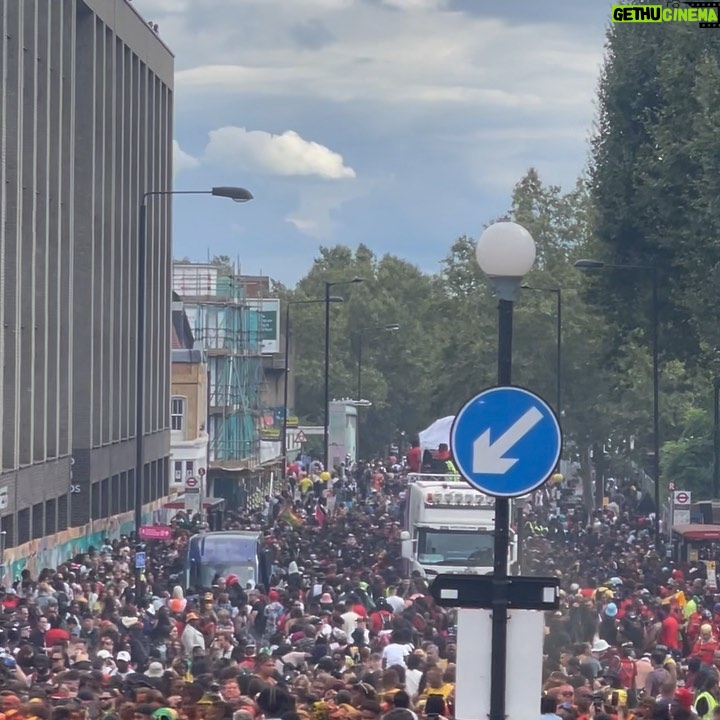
{"x": 654, "y": 182}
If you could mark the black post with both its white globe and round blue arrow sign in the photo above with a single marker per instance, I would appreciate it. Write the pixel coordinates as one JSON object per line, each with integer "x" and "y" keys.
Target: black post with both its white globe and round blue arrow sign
{"x": 495, "y": 454}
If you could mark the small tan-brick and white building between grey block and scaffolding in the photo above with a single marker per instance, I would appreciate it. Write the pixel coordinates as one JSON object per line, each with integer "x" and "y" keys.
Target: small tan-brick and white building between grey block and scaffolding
{"x": 189, "y": 402}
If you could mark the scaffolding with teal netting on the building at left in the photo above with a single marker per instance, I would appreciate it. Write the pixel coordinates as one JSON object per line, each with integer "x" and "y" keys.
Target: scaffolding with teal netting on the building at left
{"x": 229, "y": 329}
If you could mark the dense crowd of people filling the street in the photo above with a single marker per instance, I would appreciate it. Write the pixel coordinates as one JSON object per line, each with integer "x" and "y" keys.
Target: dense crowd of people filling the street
{"x": 340, "y": 632}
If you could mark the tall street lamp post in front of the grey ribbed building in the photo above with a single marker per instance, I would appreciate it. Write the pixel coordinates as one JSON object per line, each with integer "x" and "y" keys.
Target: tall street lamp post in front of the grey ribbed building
{"x": 233, "y": 193}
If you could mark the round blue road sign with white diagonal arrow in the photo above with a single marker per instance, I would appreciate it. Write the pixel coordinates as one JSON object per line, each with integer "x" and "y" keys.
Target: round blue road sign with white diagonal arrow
{"x": 506, "y": 441}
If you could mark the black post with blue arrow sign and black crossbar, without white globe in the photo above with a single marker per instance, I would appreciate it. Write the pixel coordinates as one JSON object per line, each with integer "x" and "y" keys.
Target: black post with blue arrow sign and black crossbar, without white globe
{"x": 506, "y": 442}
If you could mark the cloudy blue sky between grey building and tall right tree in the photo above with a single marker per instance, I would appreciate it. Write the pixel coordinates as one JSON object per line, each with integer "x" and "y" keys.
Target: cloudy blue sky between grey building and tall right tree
{"x": 398, "y": 123}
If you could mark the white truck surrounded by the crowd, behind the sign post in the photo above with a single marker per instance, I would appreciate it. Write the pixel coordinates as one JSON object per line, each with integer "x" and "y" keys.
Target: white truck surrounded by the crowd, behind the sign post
{"x": 449, "y": 527}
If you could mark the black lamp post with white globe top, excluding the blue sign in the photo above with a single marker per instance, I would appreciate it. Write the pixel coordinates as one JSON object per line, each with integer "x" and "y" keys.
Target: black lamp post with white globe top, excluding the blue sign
{"x": 505, "y": 252}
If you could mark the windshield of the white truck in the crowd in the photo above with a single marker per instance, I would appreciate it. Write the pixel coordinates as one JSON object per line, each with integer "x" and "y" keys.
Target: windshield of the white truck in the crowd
{"x": 471, "y": 548}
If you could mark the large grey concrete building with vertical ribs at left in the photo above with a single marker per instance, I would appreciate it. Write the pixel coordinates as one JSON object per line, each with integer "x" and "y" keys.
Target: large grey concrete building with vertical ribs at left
{"x": 85, "y": 130}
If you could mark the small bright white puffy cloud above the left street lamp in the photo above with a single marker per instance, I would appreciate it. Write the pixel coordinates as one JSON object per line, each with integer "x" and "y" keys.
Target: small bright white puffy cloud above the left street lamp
{"x": 287, "y": 154}
